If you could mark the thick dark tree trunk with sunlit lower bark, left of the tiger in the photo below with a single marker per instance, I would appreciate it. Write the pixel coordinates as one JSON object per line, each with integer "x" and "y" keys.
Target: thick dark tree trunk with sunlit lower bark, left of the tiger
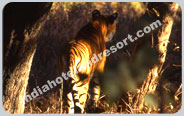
{"x": 22, "y": 25}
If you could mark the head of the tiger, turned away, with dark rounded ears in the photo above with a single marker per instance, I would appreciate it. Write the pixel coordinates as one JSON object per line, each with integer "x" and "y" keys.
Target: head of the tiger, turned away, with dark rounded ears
{"x": 107, "y": 24}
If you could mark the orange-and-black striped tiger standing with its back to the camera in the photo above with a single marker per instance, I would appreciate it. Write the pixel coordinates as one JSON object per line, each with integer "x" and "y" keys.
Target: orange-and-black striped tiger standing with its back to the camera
{"x": 76, "y": 58}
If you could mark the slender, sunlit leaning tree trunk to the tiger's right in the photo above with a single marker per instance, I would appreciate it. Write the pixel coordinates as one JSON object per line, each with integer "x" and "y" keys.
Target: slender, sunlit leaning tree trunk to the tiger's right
{"x": 150, "y": 84}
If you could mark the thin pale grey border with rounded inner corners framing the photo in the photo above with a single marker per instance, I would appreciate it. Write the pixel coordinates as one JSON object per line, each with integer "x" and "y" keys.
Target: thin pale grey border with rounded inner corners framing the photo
{"x": 3, "y": 3}
